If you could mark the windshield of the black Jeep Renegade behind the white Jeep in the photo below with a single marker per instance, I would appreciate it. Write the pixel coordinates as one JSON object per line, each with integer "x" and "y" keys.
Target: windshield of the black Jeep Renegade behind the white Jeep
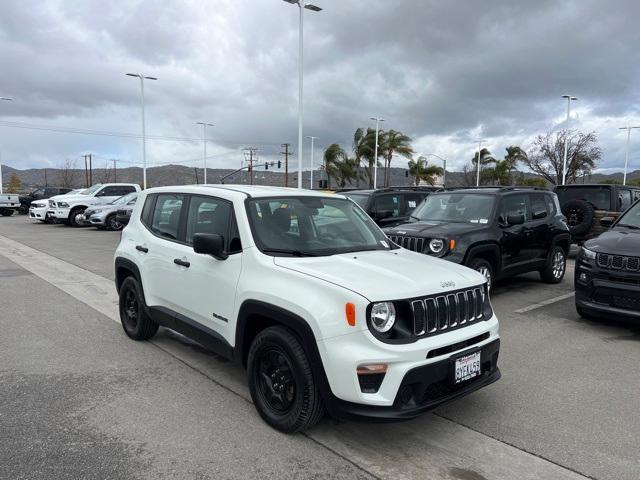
{"x": 456, "y": 207}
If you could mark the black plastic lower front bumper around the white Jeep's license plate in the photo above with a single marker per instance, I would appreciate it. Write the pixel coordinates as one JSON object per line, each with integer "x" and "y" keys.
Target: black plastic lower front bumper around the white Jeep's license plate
{"x": 424, "y": 388}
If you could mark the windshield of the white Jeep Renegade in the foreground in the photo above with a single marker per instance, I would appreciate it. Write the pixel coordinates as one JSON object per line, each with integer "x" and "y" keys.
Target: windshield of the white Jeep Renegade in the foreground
{"x": 312, "y": 226}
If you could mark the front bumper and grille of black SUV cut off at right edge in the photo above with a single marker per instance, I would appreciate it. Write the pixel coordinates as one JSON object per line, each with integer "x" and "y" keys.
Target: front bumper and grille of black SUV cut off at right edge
{"x": 605, "y": 292}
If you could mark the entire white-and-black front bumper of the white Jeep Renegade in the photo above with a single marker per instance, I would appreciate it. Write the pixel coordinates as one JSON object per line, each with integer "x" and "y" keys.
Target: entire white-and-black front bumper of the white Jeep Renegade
{"x": 431, "y": 356}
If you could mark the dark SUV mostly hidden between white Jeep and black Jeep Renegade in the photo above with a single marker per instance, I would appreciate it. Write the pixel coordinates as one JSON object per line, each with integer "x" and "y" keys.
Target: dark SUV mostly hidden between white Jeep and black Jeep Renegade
{"x": 389, "y": 206}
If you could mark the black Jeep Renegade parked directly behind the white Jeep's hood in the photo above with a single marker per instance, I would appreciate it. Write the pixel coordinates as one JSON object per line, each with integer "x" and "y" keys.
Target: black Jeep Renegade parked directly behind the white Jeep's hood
{"x": 499, "y": 232}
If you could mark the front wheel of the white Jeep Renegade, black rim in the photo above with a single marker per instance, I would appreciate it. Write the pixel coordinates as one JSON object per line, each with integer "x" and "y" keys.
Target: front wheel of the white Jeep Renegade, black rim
{"x": 281, "y": 381}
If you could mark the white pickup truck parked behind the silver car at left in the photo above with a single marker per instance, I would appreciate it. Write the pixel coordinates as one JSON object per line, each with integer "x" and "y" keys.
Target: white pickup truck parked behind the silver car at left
{"x": 69, "y": 209}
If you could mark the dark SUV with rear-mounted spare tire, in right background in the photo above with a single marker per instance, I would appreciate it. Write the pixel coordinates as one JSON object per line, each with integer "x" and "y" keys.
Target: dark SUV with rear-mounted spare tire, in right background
{"x": 585, "y": 205}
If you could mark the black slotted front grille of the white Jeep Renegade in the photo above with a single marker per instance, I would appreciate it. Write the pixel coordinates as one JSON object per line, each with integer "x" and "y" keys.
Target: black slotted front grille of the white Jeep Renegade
{"x": 440, "y": 313}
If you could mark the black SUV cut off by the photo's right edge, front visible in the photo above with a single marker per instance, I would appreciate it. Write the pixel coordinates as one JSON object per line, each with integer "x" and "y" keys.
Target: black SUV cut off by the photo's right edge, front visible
{"x": 607, "y": 276}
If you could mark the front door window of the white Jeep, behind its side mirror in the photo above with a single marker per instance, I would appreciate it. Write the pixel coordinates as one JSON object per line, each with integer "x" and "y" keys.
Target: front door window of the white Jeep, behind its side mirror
{"x": 208, "y": 215}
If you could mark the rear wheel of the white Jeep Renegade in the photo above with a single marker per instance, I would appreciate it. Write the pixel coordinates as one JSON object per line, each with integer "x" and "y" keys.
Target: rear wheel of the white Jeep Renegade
{"x": 135, "y": 321}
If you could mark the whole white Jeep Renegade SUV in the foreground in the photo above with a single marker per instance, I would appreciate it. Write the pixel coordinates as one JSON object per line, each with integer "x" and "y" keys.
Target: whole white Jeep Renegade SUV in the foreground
{"x": 309, "y": 294}
